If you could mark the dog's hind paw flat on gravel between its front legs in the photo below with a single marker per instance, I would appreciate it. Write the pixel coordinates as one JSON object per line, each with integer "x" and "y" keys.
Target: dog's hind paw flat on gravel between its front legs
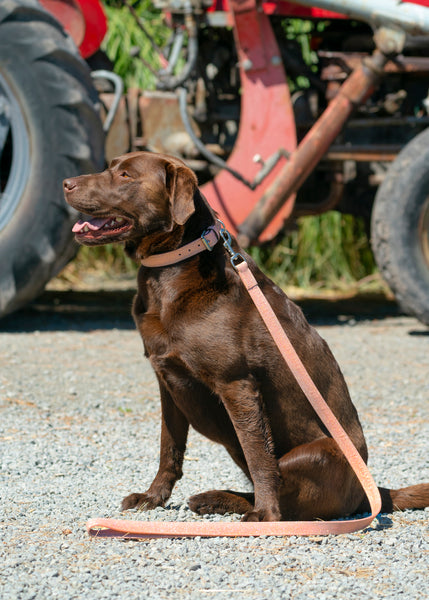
{"x": 221, "y": 502}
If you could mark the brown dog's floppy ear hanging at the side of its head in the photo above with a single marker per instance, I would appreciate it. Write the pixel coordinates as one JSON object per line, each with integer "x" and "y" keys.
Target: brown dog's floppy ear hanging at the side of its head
{"x": 181, "y": 184}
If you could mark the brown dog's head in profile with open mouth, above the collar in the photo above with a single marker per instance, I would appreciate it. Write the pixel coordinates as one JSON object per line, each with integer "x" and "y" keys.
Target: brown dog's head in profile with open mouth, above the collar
{"x": 139, "y": 194}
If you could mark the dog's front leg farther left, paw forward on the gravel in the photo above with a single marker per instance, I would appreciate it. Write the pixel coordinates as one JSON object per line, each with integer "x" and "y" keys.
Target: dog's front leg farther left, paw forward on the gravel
{"x": 174, "y": 433}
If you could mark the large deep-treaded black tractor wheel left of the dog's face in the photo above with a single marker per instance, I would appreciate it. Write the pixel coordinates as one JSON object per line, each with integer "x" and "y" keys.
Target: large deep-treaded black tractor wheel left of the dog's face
{"x": 56, "y": 132}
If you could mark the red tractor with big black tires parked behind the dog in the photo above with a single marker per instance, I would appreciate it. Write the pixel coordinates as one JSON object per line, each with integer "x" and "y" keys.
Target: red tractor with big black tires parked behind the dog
{"x": 228, "y": 102}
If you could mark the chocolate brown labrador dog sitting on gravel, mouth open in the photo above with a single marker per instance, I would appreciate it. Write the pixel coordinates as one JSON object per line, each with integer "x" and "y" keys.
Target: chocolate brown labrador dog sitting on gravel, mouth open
{"x": 217, "y": 366}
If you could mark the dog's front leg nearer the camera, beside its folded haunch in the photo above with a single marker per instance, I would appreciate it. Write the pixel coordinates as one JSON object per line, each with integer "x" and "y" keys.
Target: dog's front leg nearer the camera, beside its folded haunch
{"x": 244, "y": 403}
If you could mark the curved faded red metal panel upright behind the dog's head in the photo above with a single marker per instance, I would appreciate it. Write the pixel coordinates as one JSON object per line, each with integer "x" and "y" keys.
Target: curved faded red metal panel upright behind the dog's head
{"x": 266, "y": 124}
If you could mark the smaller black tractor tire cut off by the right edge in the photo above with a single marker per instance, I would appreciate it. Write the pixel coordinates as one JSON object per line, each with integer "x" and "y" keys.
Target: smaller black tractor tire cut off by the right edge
{"x": 400, "y": 228}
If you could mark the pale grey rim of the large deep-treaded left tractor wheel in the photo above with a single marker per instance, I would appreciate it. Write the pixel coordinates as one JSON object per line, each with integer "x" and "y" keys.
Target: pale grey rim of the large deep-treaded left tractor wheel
{"x": 14, "y": 153}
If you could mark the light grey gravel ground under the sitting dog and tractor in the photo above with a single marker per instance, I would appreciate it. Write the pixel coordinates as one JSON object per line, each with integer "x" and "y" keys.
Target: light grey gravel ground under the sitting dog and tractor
{"x": 79, "y": 430}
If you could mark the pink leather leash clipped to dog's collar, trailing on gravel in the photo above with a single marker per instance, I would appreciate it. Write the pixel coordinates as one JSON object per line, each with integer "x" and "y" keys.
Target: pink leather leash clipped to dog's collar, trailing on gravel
{"x": 130, "y": 529}
